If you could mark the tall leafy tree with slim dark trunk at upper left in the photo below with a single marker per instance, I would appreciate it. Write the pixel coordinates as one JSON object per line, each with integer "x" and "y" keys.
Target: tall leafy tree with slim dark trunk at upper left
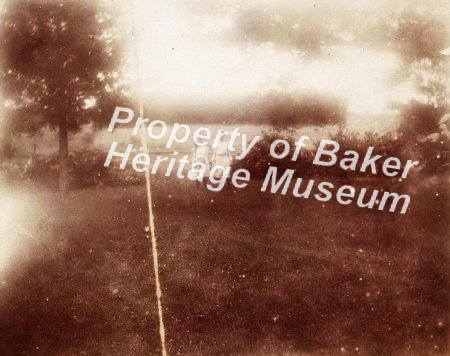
{"x": 59, "y": 61}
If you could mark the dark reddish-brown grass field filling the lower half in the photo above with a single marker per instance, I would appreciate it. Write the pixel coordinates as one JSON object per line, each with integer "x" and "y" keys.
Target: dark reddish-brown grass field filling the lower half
{"x": 242, "y": 272}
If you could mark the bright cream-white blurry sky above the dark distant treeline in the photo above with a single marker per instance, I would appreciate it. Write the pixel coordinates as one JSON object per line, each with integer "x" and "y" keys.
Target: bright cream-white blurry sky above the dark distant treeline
{"x": 186, "y": 59}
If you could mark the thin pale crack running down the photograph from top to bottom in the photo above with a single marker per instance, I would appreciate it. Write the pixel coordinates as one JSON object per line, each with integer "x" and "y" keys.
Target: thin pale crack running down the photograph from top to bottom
{"x": 162, "y": 332}
